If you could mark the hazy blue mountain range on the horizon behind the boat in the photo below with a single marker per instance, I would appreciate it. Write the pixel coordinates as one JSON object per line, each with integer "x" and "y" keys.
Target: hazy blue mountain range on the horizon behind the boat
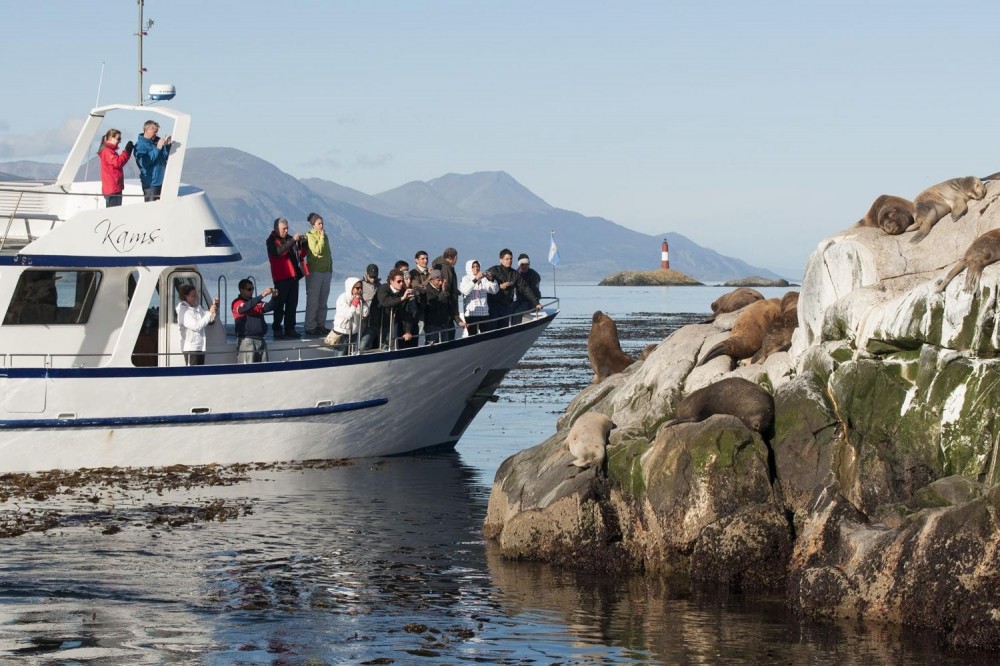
{"x": 477, "y": 213}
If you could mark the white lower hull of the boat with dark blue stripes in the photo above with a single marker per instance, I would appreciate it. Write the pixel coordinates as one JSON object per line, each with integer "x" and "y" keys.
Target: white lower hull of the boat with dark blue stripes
{"x": 322, "y": 407}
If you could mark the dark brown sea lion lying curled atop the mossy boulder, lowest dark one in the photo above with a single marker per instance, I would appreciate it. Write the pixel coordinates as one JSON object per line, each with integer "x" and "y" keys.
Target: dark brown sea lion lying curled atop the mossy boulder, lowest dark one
{"x": 735, "y": 396}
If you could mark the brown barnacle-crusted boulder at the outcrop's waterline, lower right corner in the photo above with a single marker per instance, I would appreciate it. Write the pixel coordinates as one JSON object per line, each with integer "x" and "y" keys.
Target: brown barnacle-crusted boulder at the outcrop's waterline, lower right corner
{"x": 939, "y": 569}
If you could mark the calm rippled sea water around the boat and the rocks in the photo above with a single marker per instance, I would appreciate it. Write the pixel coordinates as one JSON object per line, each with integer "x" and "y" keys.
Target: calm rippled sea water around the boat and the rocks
{"x": 383, "y": 561}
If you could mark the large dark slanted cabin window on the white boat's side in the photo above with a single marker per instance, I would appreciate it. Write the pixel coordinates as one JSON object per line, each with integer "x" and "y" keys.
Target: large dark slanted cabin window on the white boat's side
{"x": 53, "y": 297}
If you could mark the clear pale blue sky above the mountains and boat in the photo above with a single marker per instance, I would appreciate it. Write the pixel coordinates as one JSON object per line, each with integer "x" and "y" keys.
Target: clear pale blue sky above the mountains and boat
{"x": 756, "y": 129}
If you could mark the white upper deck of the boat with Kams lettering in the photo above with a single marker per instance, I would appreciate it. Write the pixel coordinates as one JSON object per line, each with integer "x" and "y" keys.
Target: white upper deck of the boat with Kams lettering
{"x": 66, "y": 223}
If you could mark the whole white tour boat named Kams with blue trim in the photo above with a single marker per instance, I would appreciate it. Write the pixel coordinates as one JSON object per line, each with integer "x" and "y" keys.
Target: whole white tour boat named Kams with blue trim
{"x": 92, "y": 371}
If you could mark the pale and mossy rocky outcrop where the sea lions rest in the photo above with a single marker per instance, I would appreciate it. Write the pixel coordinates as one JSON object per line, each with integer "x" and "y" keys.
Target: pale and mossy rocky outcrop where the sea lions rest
{"x": 875, "y": 493}
